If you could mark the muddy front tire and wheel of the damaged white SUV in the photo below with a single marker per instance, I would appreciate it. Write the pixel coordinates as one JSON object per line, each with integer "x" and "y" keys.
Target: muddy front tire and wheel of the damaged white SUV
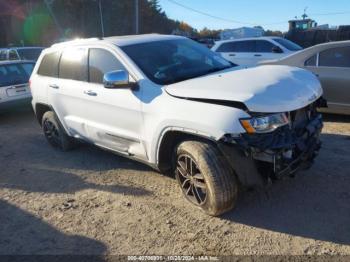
{"x": 205, "y": 177}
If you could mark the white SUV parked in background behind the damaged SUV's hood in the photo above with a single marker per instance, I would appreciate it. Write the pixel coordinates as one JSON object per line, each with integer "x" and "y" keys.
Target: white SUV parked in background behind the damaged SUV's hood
{"x": 251, "y": 51}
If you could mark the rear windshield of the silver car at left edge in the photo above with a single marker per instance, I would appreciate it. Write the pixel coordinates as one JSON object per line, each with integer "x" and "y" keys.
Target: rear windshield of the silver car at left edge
{"x": 14, "y": 74}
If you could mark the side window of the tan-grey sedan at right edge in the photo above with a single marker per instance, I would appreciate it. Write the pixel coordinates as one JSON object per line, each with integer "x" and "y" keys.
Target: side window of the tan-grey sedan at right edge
{"x": 335, "y": 57}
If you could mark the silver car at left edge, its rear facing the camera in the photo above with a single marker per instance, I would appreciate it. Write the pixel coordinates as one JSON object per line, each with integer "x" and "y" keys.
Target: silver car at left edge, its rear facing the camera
{"x": 14, "y": 88}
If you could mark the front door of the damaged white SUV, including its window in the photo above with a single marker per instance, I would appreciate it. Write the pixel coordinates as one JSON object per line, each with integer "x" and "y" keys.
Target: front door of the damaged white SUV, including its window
{"x": 115, "y": 118}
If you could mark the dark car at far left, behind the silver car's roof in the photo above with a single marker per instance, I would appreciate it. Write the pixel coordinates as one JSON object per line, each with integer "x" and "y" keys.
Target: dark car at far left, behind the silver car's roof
{"x": 20, "y": 53}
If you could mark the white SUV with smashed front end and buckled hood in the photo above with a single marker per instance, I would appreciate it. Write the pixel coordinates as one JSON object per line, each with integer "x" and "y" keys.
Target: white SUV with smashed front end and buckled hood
{"x": 179, "y": 107}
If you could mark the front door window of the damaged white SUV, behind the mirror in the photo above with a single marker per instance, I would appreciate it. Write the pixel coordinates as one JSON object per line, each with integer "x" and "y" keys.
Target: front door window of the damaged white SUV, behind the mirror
{"x": 100, "y": 62}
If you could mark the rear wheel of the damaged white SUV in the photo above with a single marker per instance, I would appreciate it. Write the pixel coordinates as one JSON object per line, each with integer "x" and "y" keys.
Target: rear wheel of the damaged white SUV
{"x": 55, "y": 133}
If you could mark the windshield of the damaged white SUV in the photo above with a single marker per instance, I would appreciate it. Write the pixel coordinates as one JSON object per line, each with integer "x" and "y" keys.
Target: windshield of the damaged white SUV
{"x": 170, "y": 61}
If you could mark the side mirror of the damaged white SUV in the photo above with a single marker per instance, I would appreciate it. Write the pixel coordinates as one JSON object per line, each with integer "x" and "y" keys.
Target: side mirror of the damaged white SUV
{"x": 118, "y": 79}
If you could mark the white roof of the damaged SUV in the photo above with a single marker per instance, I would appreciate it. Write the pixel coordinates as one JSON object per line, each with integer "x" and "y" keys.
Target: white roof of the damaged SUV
{"x": 121, "y": 40}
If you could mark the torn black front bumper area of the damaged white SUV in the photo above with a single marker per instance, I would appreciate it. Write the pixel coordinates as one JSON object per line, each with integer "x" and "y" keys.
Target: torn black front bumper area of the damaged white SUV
{"x": 257, "y": 158}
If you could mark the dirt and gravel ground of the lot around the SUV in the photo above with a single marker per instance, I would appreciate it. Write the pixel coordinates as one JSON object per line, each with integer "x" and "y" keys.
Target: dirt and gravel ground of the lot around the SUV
{"x": 89, "y": 201}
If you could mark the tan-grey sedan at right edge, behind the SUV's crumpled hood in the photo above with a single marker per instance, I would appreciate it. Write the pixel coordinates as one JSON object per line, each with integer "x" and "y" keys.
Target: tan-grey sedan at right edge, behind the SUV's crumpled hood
{"x": 330, "y": 62}
